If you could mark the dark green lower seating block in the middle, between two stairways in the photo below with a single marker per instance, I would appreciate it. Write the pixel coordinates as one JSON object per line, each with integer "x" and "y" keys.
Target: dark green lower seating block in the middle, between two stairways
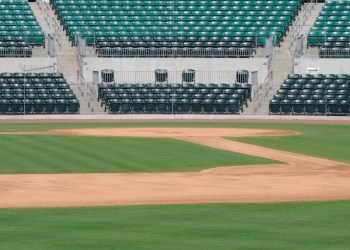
{"x": 174, "y": 98}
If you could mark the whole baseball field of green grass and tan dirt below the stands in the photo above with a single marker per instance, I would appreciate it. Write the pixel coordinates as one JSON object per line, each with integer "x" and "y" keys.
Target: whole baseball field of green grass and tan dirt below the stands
{"x": 168, "y": 185}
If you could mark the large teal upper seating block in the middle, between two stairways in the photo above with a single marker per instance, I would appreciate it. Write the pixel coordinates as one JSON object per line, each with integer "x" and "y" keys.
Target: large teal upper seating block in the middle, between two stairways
{"x": 176, "y": 28}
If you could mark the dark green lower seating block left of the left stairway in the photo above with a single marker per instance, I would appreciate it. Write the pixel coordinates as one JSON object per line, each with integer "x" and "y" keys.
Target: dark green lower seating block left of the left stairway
{"x": 32, "y": 93}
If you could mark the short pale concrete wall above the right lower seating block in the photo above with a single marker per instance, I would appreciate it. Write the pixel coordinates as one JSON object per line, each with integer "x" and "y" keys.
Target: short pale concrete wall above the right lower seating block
{"x": 325, "y": 66}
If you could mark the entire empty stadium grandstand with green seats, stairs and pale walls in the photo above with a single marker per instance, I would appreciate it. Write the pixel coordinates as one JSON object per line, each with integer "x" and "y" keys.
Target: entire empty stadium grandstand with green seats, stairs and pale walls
{"x": 99, "y": 57}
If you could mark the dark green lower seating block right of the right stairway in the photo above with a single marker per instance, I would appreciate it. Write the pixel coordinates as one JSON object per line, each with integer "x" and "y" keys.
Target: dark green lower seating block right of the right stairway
{"x": 307, "y": 94}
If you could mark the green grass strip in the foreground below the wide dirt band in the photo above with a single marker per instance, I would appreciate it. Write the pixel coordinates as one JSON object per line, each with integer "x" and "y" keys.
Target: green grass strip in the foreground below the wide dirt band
{"x": 323, "y": 225}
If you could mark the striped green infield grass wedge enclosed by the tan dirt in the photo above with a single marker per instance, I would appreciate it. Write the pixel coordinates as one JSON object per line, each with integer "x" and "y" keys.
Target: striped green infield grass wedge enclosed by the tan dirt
{"x": 78, "y": 154}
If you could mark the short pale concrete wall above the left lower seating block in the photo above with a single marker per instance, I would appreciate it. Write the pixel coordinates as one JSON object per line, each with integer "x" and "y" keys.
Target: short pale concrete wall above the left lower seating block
{"x": 16, "y": 64}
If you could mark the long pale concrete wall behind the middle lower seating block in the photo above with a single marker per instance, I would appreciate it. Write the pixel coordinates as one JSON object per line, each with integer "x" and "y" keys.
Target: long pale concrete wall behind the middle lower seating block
{"x": 176, "y": 65}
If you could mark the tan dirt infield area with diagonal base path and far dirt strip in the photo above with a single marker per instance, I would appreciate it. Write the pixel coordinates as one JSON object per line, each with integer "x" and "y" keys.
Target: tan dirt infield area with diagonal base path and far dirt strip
{"x": 300, "y": 178}
